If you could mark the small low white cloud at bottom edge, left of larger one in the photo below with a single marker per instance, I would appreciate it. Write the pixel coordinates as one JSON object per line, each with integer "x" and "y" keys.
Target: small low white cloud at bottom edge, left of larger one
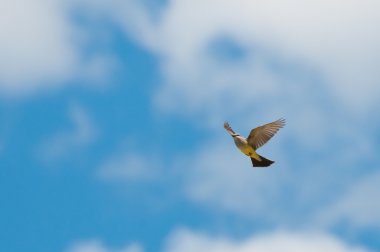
{"x": 97, "y": 246}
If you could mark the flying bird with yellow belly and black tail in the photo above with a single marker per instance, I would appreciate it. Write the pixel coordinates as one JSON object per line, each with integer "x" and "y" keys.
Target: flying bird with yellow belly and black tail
{"x": 257, "y": 138}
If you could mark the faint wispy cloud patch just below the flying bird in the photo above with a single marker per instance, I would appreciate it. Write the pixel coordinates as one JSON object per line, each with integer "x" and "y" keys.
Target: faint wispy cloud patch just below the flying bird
{"x": 221, "y": 178}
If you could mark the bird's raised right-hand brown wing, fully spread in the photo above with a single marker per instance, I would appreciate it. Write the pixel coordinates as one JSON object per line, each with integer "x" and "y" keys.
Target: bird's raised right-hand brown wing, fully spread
{"x": 260, "y": 135}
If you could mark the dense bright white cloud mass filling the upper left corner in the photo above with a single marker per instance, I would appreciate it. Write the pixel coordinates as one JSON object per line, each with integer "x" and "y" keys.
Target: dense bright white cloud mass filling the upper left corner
{"x": 35, "y": 44}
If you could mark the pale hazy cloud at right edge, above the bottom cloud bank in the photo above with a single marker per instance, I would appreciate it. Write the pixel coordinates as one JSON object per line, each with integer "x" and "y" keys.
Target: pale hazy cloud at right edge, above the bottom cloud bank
{"x": 357, "y": 207}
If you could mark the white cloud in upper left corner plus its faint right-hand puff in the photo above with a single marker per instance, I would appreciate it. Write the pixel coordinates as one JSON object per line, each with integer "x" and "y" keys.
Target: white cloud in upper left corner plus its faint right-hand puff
{"x": 40, "y": 48}
